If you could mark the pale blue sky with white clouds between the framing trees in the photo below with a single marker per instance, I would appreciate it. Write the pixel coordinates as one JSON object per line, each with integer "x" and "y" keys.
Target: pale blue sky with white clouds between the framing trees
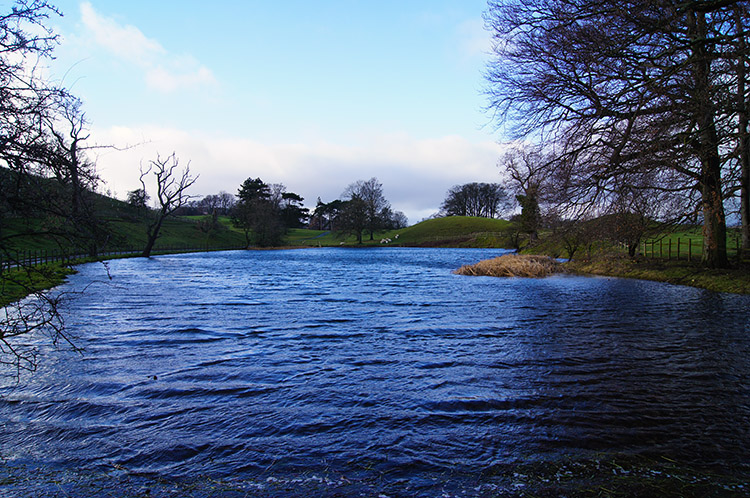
{"x": 314, "y": 95}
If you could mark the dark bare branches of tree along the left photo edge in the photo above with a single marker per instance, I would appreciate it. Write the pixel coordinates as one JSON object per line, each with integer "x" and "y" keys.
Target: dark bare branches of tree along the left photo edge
{"x": 31, "y": 188}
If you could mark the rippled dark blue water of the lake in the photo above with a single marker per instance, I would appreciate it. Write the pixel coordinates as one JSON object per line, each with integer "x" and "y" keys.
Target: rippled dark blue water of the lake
{"x": 378, "y": 361}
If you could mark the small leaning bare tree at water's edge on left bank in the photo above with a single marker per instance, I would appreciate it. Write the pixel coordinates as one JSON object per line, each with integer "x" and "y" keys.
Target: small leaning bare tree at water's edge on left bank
{"x": 171, "y": 193}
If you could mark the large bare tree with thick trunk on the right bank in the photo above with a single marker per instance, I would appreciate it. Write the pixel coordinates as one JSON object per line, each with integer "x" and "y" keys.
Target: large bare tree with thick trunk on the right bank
{"x": 621, "y": 88}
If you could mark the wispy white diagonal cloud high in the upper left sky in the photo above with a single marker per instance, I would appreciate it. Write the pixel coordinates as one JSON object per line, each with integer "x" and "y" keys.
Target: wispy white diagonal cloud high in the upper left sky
{"x": 163, "y": 70}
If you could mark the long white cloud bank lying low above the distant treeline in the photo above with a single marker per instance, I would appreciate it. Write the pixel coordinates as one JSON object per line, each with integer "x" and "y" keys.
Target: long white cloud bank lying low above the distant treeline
{"x": 415, "y": 173}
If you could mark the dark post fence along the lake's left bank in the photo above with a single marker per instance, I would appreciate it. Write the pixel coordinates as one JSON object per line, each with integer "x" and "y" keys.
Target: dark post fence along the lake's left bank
{"x": 38, "y": 257}
